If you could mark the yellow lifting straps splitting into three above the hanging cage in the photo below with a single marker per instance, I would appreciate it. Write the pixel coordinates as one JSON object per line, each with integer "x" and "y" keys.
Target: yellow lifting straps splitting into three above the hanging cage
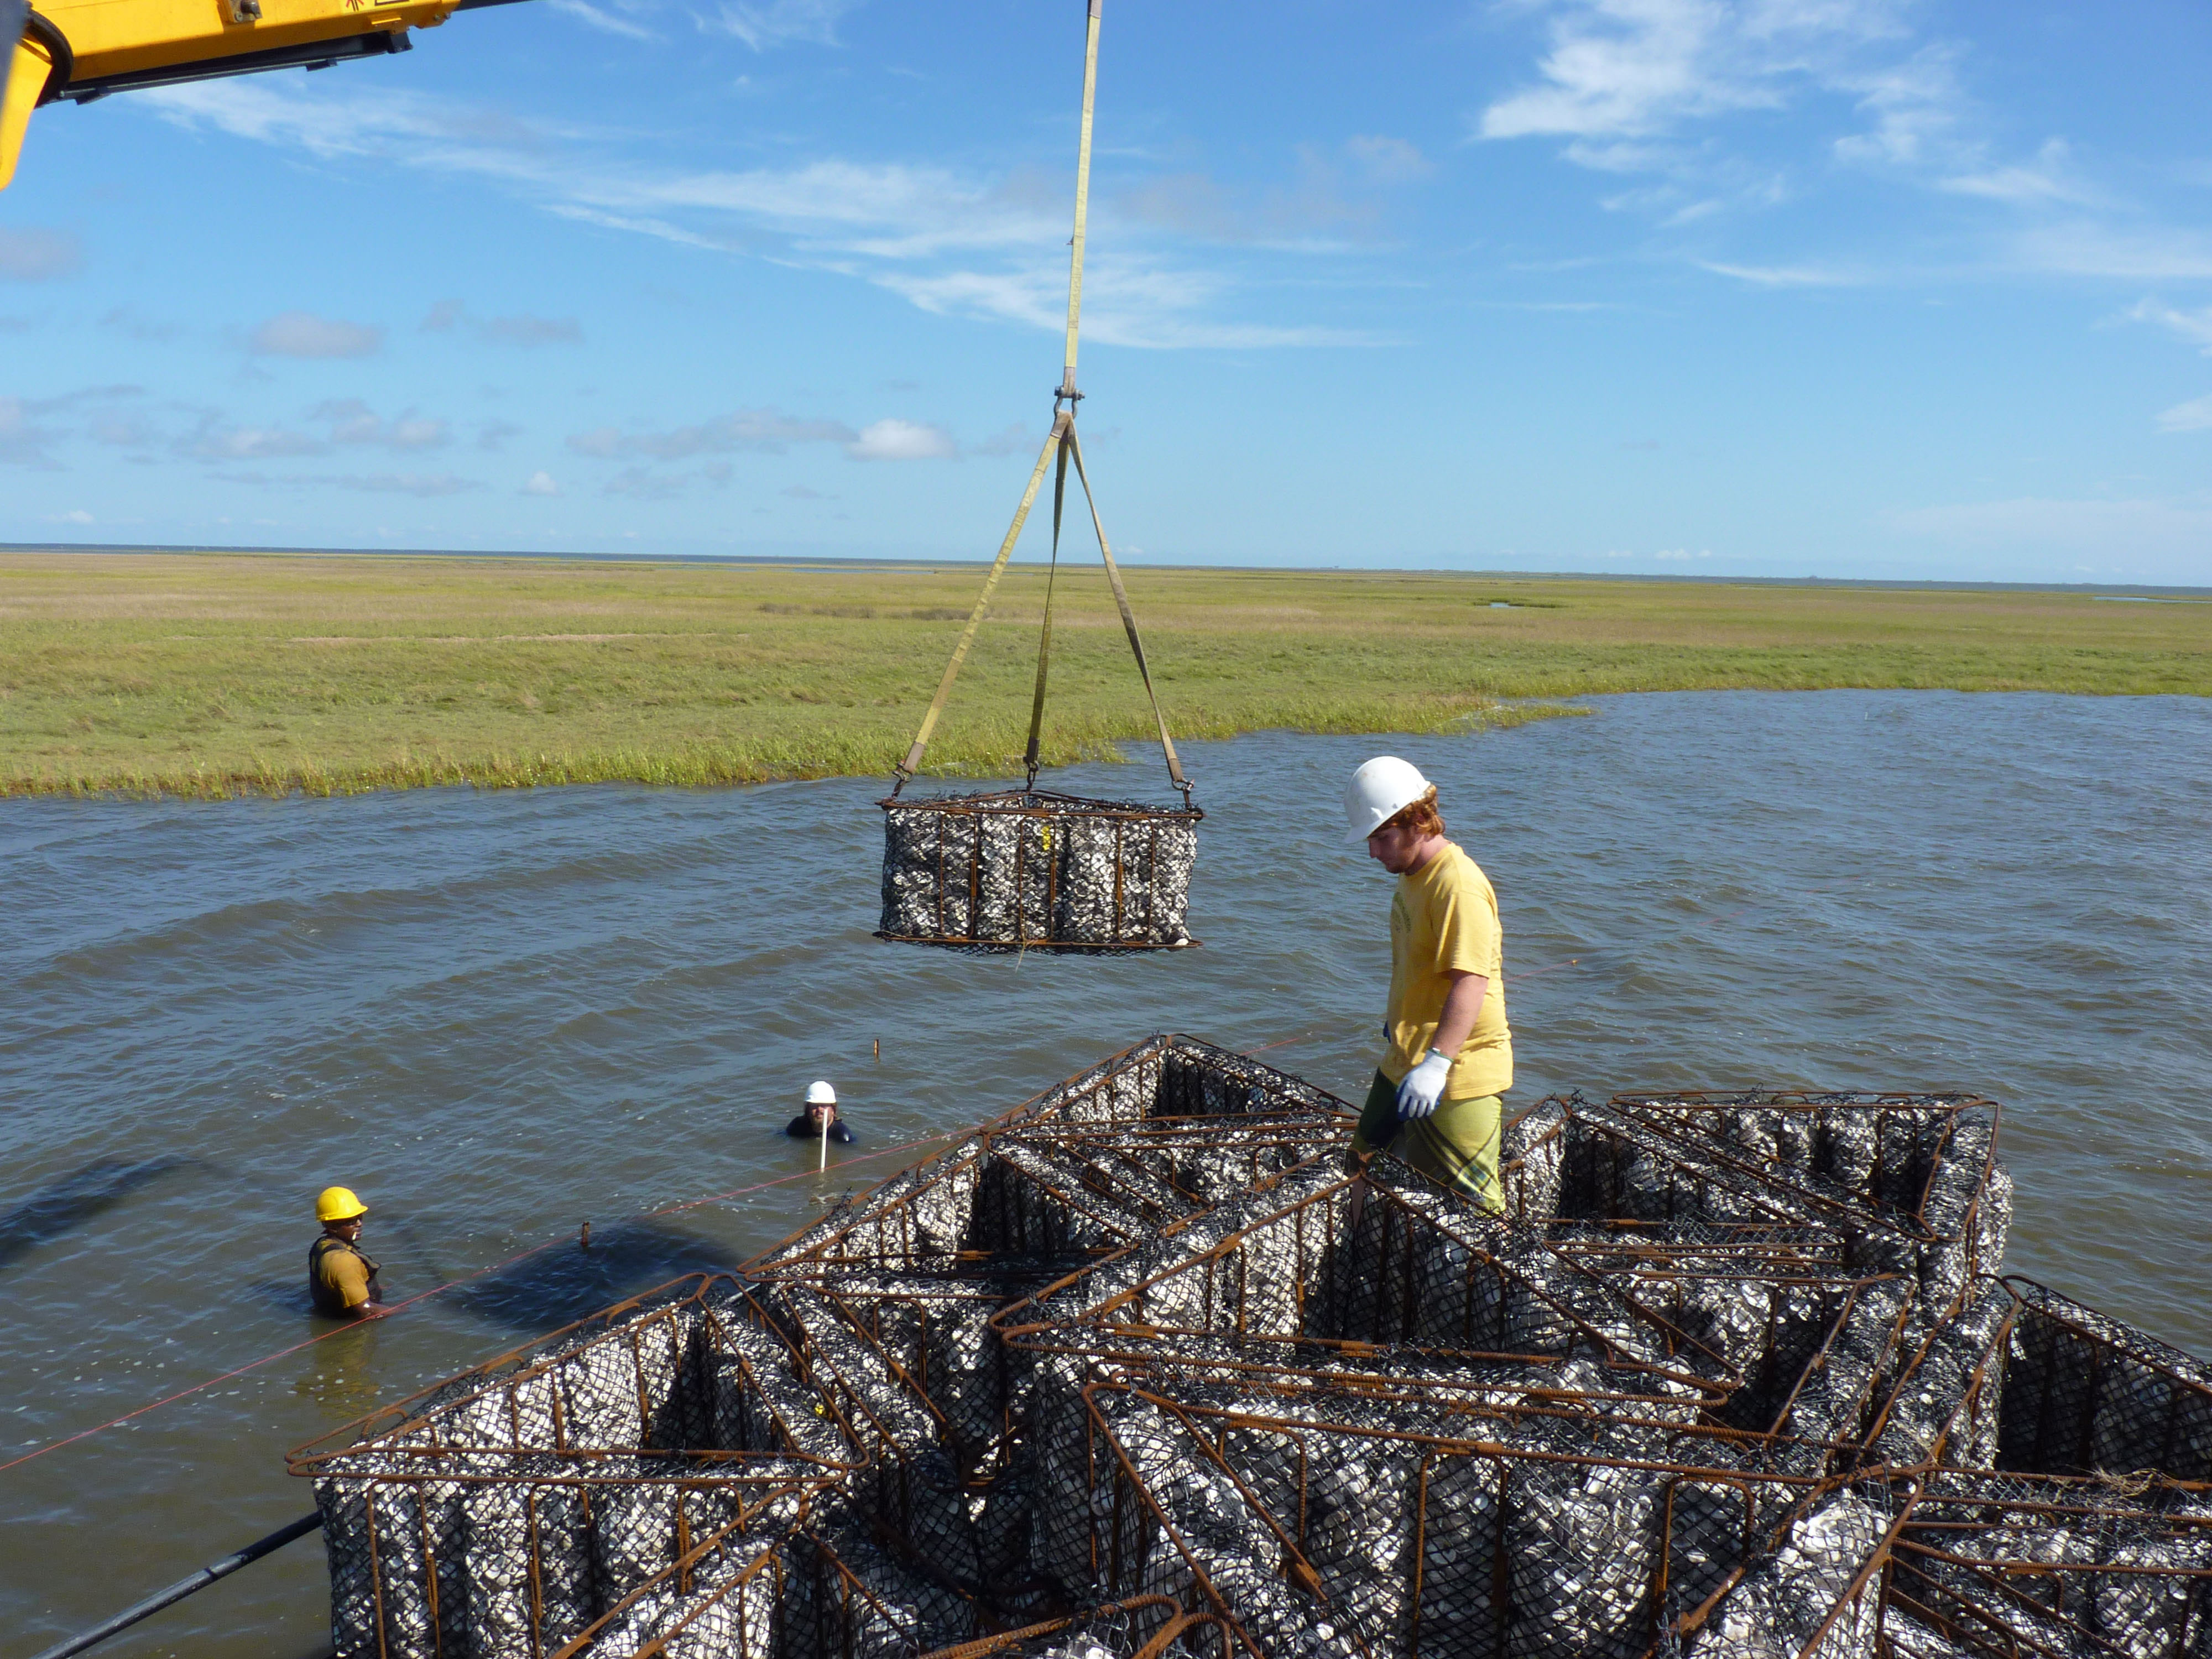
{"x": 1067, "y": 448}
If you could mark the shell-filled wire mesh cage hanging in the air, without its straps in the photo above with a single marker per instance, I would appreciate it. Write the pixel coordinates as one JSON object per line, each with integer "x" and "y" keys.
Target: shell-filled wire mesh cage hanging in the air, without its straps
{"x": 1030, "y": 870}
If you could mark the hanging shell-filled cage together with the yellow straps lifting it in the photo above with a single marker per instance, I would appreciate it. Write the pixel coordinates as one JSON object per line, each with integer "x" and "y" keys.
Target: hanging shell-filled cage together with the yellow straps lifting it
{"x": 1030, "y": 870}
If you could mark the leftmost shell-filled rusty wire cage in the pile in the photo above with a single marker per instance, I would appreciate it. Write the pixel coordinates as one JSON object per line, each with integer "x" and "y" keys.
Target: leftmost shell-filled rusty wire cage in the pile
{"x": 550, "y": 1494}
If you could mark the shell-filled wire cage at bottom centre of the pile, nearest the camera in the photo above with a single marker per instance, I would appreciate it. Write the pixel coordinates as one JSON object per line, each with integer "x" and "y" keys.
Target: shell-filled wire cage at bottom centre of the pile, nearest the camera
{"x": 1375, "y": 1523}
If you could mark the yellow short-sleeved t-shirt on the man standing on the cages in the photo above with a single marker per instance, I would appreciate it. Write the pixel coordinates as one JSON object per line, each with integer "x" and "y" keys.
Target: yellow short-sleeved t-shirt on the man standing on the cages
{"x": 1443, "y": 921}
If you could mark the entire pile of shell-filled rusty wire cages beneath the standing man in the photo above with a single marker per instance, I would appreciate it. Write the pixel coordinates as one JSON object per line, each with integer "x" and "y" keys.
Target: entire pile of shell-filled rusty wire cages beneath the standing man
{"x": 1140, "y": 1370}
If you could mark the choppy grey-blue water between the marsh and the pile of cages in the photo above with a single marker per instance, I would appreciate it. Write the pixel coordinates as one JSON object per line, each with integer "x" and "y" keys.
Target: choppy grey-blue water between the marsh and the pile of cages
{"x": 508, "y": 1014}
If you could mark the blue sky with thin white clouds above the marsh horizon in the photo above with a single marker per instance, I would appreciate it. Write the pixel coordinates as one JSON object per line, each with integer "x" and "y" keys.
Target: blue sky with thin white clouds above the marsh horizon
{"x": 1651, "y": 286}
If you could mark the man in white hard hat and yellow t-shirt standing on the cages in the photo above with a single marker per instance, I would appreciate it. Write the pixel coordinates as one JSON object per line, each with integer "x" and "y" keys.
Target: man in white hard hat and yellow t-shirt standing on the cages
{"x": 1439, "y": 1094}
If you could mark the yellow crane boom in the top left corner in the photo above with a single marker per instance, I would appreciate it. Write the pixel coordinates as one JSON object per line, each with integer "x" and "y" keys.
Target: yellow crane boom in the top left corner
{"x": 85, "y": 50}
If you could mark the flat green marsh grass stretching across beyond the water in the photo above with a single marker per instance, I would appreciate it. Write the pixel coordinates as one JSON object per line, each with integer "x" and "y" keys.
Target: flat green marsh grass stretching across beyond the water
{"x": 218, "y": 676}
